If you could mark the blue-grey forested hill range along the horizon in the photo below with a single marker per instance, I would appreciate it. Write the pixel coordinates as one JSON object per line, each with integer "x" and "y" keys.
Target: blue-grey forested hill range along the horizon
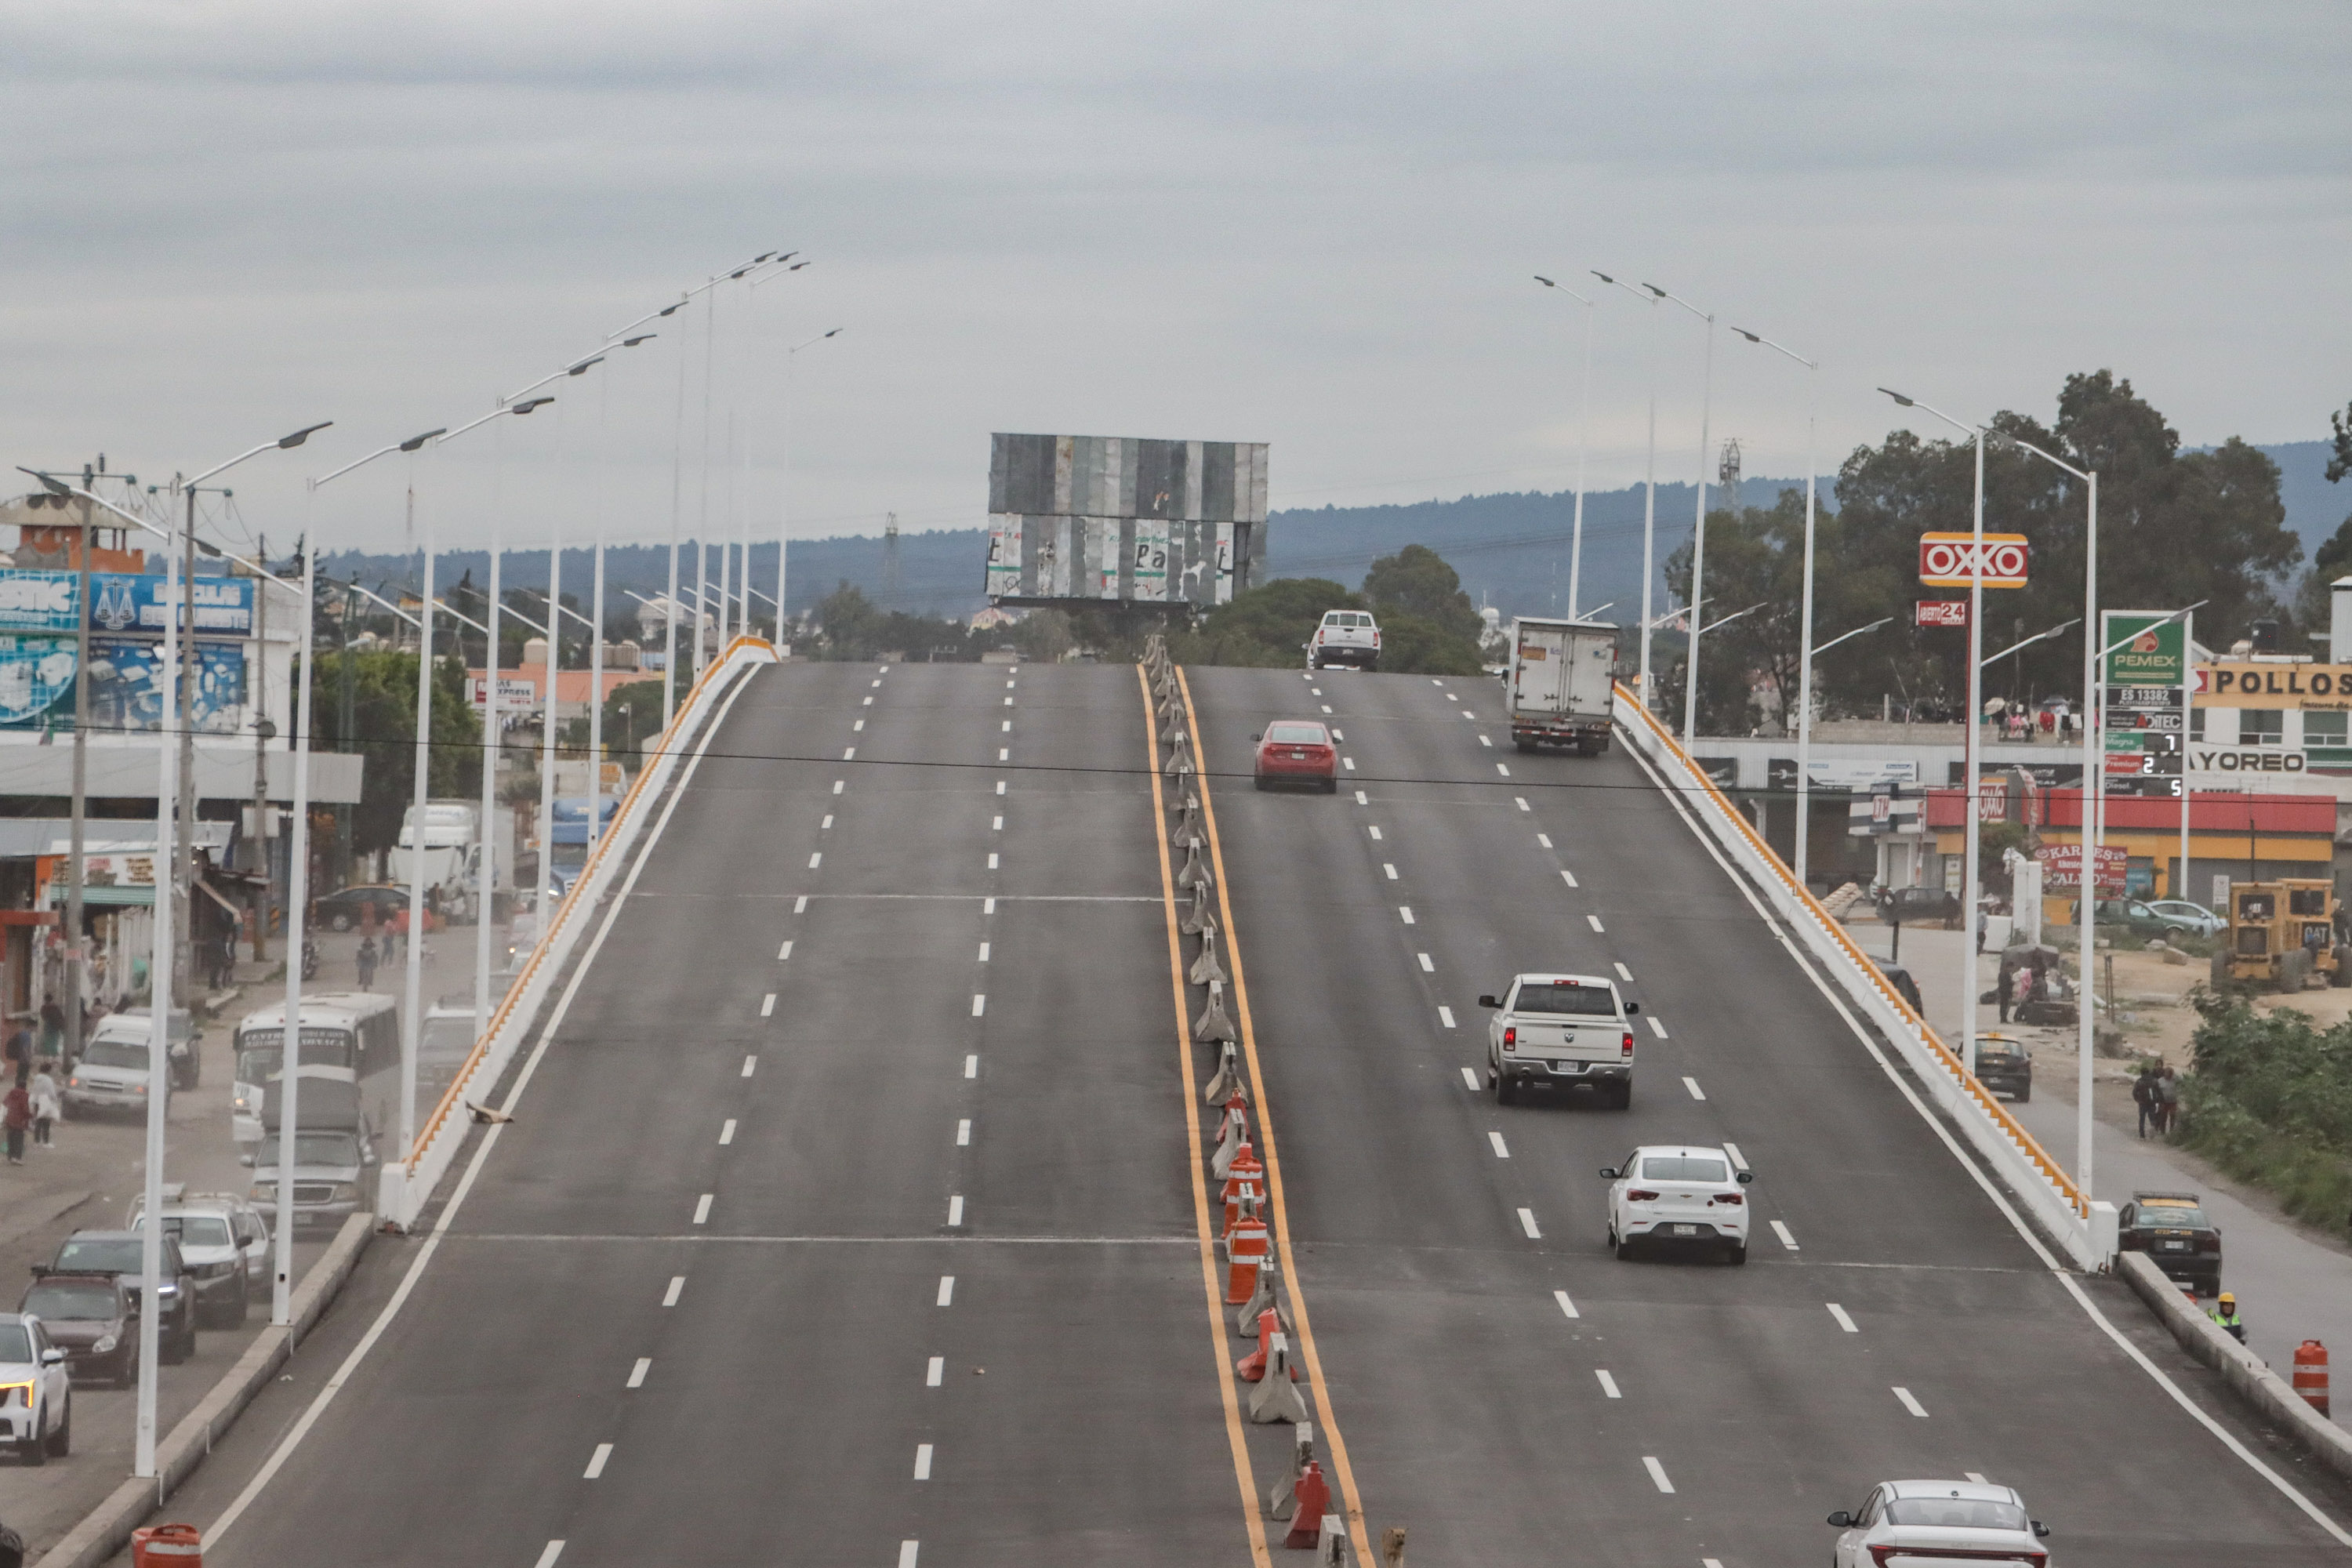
{"x": 1511, "y": 549}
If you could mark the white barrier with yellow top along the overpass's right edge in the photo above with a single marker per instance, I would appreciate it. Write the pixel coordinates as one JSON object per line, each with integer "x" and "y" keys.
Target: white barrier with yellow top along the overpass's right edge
{"x": 2029, "y": 1170}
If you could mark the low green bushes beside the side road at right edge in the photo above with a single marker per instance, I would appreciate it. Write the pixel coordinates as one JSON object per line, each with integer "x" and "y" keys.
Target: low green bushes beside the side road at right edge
{"x": 2269, "y": 1099}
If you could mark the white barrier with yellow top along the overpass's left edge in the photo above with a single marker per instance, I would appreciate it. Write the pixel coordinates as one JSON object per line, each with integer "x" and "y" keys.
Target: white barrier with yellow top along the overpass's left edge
{"x": 408, "y": 1184}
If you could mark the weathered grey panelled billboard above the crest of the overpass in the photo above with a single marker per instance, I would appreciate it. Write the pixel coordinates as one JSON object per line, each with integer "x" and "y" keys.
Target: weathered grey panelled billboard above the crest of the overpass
{"x": 1123, "y": 521}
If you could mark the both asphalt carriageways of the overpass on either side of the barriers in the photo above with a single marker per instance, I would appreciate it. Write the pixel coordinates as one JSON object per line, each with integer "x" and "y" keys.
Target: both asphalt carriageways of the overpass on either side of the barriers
{"x": 853, "y": 1202}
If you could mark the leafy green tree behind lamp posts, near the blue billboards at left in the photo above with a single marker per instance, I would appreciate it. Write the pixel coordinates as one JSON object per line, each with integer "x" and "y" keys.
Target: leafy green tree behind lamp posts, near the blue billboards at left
{"x": 385, "y": 735}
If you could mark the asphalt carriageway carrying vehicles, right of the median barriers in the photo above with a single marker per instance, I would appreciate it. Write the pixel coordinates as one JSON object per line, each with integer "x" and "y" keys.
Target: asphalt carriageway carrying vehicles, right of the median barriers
{"x": 1688, "y": 1412}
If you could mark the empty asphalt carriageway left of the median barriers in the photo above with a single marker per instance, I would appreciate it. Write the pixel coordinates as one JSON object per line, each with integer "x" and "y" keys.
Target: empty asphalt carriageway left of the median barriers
{"x": 848, "y": 1207}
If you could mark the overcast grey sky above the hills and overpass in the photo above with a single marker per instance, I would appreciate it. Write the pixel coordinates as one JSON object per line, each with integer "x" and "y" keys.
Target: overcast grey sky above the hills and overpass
{"x": 1307, "y": 222}
